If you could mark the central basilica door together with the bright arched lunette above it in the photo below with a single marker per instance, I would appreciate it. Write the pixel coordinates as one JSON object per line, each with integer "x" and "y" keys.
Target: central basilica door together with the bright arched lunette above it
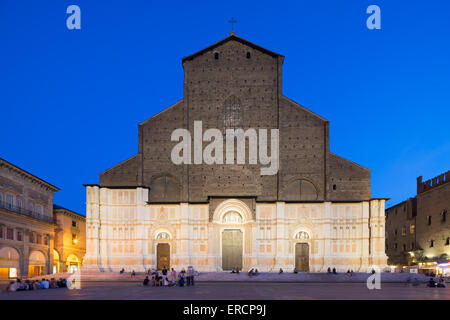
{"x": 232, "y": 242}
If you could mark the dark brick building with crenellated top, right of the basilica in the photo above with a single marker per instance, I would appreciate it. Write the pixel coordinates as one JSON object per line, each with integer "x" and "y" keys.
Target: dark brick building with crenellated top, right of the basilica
{"x": 418, "y": 230}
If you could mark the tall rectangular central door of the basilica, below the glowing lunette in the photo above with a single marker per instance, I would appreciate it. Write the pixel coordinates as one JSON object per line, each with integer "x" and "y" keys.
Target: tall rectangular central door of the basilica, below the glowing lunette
{"x": 232, "y": 241}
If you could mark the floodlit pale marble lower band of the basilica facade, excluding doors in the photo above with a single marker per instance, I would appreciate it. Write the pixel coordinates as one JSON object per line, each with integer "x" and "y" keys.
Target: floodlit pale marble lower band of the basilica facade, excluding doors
{"x": 124, "y": 231}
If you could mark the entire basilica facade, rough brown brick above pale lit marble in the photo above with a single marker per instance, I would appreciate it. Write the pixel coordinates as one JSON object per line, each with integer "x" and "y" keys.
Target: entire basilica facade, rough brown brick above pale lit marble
{"x": 315, "y": 211}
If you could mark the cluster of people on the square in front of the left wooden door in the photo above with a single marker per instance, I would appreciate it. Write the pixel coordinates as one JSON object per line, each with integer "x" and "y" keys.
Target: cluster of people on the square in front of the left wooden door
{"x": 166, "y": 278}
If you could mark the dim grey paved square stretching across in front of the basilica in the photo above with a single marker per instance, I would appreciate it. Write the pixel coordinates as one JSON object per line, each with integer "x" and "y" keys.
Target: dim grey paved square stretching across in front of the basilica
{"x": 234, "y": 291}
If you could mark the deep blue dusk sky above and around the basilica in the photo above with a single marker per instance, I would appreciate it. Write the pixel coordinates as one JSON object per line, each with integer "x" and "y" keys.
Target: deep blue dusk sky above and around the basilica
{"x": 70, "y": 100}
